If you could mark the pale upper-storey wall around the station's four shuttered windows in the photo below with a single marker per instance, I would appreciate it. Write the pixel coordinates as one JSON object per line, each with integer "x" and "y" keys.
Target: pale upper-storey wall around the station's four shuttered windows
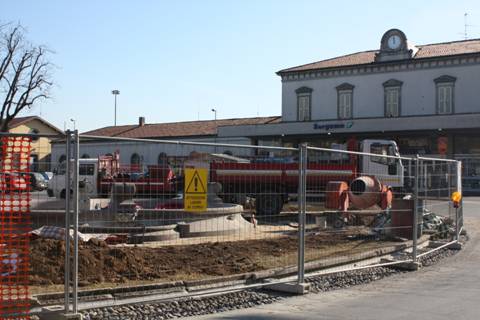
{"x": 417, "y": 98}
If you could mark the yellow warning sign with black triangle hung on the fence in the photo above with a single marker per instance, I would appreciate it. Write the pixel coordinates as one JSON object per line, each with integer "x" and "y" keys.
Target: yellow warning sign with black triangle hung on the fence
{"x": 195, "y": 193}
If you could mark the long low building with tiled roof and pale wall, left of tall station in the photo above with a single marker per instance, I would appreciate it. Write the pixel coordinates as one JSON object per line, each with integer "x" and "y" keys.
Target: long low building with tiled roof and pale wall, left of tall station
{"x": 140, "y": 154}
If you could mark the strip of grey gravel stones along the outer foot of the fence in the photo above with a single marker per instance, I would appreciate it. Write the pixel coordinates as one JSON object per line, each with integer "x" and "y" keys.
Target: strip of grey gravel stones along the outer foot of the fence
{"x": 249, "y": 298}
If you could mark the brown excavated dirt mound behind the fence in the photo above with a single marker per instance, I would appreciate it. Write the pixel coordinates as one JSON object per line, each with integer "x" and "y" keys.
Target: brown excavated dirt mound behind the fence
{"x": 99, "y": 262}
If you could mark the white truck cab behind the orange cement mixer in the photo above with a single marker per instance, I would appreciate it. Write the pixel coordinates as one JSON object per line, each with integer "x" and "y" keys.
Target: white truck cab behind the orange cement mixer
{"x": 390, "y": 171}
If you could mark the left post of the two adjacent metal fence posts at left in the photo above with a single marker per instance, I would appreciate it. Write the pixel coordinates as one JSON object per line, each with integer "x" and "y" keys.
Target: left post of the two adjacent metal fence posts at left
{"x": 67, "y": 221}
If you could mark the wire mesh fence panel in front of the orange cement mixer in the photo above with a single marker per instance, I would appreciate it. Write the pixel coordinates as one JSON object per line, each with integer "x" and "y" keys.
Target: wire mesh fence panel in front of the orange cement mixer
{"x": 358, "y": 204}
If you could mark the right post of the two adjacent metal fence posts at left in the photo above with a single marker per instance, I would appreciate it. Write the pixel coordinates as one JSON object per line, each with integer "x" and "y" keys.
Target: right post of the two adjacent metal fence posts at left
{"x": 76, "y": 152}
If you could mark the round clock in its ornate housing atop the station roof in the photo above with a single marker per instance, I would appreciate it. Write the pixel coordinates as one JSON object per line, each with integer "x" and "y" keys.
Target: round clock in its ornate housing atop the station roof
{"x": 394, "y": 46}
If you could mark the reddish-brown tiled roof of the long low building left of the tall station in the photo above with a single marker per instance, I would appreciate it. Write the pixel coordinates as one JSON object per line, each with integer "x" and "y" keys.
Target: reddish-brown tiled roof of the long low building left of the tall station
{"x": 177, "y": 129}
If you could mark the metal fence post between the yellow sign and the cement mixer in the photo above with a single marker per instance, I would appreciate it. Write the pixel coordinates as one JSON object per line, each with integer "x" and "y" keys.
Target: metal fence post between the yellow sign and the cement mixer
{"x": 302, "y": 190}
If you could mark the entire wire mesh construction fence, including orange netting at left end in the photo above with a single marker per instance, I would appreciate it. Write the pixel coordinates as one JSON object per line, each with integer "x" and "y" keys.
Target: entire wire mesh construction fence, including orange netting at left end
{"x": 130, "y": 213}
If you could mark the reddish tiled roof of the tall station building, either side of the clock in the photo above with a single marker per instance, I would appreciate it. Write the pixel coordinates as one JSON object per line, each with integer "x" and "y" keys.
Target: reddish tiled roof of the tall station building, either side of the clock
{"x": 368, "y": 57}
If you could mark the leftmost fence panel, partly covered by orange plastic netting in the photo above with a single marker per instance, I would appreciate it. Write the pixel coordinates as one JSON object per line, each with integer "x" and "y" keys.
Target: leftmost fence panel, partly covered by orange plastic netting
{"x": 32, "y": 224}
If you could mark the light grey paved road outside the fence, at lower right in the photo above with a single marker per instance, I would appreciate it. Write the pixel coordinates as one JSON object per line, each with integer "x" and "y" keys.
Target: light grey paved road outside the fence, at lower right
{"x": 448, "y": 290}
